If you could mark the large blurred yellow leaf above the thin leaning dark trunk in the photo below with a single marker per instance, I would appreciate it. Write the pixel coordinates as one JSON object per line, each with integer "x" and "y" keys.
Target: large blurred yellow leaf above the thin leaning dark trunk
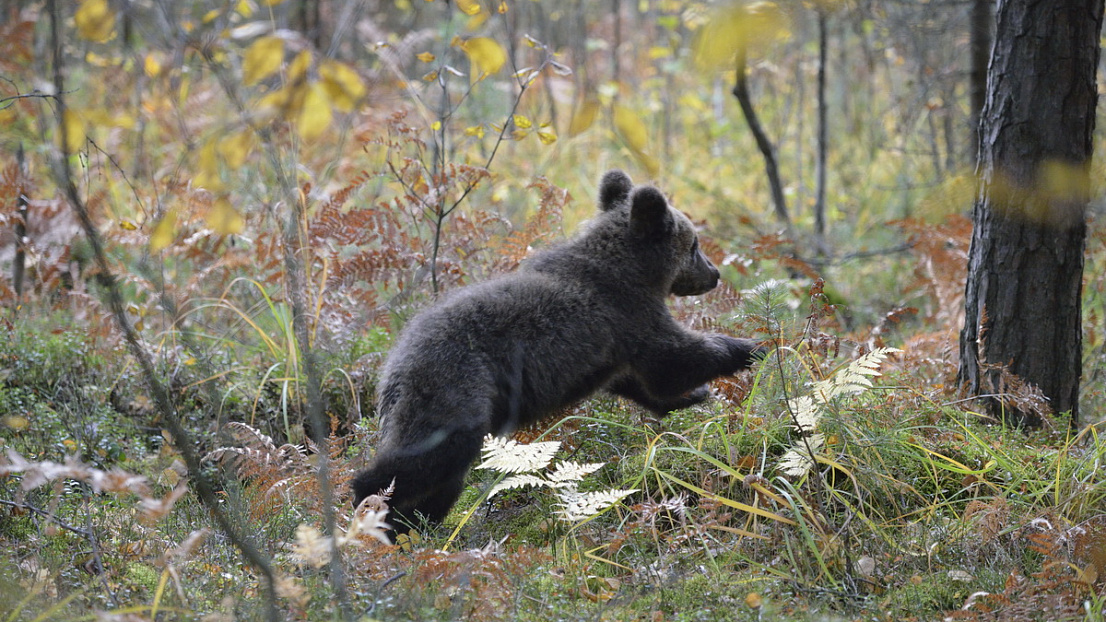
{"x": 737, "y": 27}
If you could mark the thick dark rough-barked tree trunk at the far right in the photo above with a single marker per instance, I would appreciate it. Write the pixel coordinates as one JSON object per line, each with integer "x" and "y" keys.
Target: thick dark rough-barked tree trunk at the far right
{"x": 1026, "y": 265}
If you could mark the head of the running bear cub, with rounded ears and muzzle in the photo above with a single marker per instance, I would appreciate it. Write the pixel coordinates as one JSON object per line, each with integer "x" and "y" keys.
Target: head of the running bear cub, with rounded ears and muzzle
{"x": 663, "y": 230}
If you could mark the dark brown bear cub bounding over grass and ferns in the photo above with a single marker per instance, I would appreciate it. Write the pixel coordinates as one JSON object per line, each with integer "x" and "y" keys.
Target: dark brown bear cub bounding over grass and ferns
{"x": 586, "y": 315}
